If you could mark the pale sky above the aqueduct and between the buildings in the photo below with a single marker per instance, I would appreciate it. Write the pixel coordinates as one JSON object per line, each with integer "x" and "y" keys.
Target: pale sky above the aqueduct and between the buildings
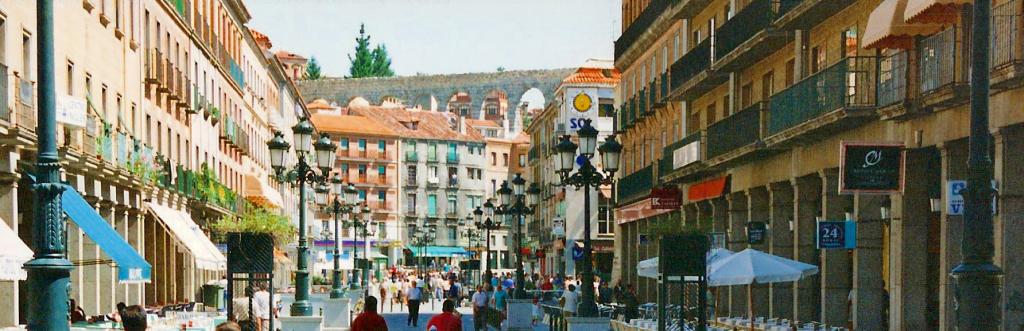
{"x": 444, "y": 36}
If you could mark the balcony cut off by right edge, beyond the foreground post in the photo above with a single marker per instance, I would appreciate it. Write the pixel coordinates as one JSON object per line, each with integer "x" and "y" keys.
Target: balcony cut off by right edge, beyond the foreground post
{"x": 1008, "y": 66}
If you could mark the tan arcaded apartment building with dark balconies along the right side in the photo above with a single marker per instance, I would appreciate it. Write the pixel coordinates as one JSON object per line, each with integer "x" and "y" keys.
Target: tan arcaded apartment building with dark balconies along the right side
{"x": 743, "y": 107}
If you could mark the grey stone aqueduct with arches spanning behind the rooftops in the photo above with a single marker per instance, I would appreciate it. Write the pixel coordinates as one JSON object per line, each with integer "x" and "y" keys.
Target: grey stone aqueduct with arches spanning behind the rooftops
{"x": 418, "y": 91}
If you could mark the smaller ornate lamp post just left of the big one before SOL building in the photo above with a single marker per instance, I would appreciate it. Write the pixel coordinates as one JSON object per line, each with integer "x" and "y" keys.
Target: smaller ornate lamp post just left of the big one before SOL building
{"x": 519, "y": 202}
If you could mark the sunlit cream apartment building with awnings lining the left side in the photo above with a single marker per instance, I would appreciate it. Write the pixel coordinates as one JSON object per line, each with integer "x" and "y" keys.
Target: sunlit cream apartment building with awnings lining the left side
{"x": 163, "y": 110}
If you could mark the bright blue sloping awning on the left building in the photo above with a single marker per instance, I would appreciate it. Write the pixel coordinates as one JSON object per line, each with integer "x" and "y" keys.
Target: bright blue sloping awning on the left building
{"x": 132, "y": 267}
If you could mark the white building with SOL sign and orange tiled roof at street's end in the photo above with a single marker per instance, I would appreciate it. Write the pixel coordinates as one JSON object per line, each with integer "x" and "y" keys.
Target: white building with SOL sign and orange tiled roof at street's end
{"x": 595, "y": 81}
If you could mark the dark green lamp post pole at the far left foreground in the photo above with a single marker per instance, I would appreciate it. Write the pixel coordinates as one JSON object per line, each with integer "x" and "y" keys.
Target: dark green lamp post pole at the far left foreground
{"x": 50, "y": 271}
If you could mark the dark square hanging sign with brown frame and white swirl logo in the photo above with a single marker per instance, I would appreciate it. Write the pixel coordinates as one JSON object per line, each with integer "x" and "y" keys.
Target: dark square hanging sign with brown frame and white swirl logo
{"x": 871, "y": 168}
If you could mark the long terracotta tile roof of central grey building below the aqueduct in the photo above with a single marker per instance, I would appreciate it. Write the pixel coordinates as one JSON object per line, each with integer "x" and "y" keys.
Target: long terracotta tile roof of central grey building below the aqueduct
{"x": 430, "y": 126}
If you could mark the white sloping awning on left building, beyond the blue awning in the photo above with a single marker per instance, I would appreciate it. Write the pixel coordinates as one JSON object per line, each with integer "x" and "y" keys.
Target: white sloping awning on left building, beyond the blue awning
{"x": 189, "y": 235}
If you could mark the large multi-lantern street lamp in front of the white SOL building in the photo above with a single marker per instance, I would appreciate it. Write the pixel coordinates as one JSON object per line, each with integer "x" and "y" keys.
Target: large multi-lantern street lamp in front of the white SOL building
{"x": 586, "y": 178}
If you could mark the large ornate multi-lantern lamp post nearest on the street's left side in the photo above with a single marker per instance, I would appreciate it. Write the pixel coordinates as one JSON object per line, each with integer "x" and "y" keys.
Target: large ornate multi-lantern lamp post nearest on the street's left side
{"x": 304, "y": 173}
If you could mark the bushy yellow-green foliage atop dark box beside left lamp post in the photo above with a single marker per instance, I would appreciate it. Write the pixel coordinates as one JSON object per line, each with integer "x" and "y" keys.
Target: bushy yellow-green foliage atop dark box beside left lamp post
{"x": 258, "y": 221}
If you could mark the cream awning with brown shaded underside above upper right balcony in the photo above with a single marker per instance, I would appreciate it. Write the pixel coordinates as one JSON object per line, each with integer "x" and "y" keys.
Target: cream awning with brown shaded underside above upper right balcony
{"x": 888, "y": 29}
